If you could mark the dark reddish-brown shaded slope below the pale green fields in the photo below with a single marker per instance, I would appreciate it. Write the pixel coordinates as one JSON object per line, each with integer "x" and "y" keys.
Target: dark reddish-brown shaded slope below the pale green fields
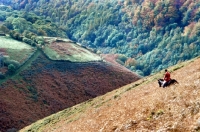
{"x": 43, "y": 86}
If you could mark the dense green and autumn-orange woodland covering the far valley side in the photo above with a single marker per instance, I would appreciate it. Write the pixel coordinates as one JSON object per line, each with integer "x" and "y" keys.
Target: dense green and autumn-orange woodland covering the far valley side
{"x": 154, "y": 33}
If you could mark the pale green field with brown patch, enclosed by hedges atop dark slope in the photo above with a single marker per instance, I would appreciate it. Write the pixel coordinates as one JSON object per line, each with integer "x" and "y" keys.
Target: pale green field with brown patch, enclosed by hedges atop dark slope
{"x": 70, "y": 52}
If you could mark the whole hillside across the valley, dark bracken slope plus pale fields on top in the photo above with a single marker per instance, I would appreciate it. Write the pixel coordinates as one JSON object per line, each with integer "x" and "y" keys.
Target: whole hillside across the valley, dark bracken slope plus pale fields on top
{"x": 41, "y": 86}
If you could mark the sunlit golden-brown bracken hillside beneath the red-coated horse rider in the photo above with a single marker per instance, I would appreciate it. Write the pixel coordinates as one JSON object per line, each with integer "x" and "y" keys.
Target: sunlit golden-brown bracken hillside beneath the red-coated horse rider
{"x": 139, "y": 106}
